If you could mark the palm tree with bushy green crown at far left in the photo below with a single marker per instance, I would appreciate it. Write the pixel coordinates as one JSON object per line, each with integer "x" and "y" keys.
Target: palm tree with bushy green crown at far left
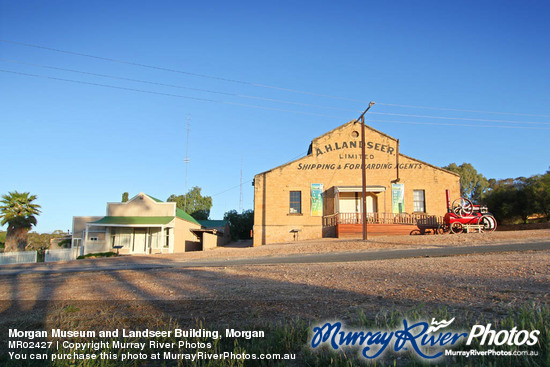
{"x": 19, "y": 212}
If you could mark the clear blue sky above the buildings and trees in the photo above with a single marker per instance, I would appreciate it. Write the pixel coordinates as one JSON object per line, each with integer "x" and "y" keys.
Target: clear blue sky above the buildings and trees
{"x": 77, "y": 144}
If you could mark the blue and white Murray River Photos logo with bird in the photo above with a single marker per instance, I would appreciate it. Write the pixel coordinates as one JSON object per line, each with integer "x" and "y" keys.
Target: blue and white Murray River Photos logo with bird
{"x": 427, "y": 341}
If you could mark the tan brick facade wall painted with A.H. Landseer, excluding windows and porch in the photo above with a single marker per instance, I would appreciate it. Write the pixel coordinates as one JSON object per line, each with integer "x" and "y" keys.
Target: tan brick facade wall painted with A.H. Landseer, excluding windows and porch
{"x": 335, "y": 160}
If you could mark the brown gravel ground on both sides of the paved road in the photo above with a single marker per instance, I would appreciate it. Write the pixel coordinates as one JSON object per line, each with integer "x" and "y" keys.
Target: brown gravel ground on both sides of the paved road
{"x": 491, "y": 283}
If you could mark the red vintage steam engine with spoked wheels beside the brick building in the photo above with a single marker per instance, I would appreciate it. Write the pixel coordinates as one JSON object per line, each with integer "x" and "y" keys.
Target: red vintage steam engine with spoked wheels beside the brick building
{"x": 463, "y": 216}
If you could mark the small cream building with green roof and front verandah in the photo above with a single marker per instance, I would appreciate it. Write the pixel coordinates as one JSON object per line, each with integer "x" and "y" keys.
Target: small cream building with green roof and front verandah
{"x": 142, "y": 225}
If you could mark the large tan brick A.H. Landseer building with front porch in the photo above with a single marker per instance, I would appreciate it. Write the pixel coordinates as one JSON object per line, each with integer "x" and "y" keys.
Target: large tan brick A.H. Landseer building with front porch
{"x": 320, "y": 195}
